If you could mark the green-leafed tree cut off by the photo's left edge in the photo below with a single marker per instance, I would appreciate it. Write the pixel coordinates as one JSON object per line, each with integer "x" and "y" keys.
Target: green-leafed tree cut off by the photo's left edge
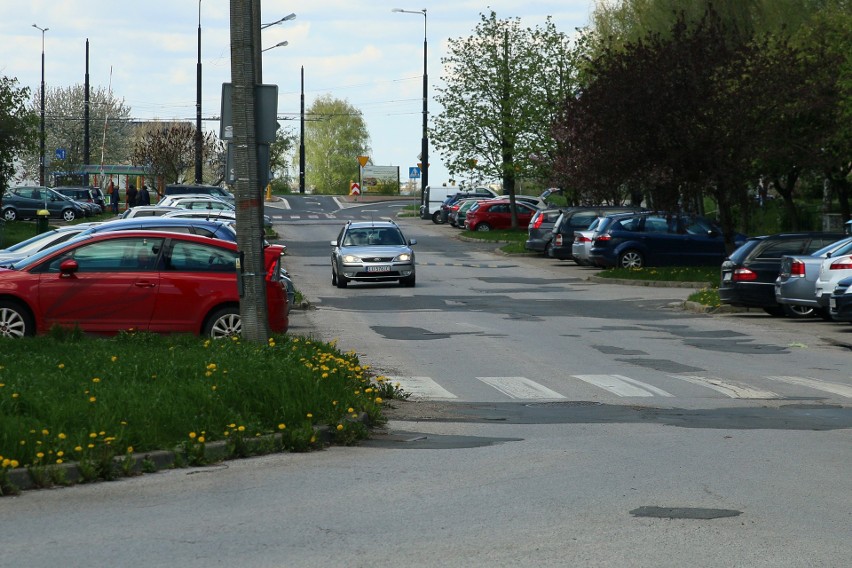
{"x": 18, "y": 128}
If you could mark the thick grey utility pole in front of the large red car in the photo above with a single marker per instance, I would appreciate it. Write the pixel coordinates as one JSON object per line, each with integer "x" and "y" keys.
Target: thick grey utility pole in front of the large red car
{"x": 245, "y": 75}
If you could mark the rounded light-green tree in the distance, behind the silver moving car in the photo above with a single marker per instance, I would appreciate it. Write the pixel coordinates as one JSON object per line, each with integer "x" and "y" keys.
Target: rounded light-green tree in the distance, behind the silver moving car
{"x": 334, "y": 138}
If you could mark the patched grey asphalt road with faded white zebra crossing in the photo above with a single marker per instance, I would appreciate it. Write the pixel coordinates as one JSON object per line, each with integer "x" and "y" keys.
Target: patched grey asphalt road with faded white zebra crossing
{"x": 553, "y": 422}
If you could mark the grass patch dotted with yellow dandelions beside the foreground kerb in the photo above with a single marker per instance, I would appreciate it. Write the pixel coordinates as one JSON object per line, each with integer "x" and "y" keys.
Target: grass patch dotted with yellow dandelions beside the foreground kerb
{"x": 68, "y": 398}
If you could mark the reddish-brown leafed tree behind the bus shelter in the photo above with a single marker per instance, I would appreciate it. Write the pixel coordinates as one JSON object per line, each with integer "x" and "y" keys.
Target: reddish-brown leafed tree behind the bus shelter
{"x": 167, "y": 150}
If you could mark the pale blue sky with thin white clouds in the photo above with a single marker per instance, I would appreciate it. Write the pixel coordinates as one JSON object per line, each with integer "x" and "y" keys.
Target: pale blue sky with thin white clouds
{"x": 356, "y": 50}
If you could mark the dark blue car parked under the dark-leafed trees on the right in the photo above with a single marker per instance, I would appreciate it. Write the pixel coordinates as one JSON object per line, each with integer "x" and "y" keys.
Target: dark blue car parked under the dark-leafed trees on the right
{"x": 634, "y": 240}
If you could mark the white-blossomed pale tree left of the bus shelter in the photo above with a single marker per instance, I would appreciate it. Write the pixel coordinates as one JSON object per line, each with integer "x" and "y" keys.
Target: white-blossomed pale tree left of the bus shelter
{"x": 64, "y": 110}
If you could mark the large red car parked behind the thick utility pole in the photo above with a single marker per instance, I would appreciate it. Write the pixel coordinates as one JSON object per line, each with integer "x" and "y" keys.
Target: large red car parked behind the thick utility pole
{"x": 143, "y": 280}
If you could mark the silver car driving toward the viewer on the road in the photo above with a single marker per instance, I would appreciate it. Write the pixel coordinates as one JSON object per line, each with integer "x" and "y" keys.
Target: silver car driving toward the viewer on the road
{"x": 372, "y": 251}
